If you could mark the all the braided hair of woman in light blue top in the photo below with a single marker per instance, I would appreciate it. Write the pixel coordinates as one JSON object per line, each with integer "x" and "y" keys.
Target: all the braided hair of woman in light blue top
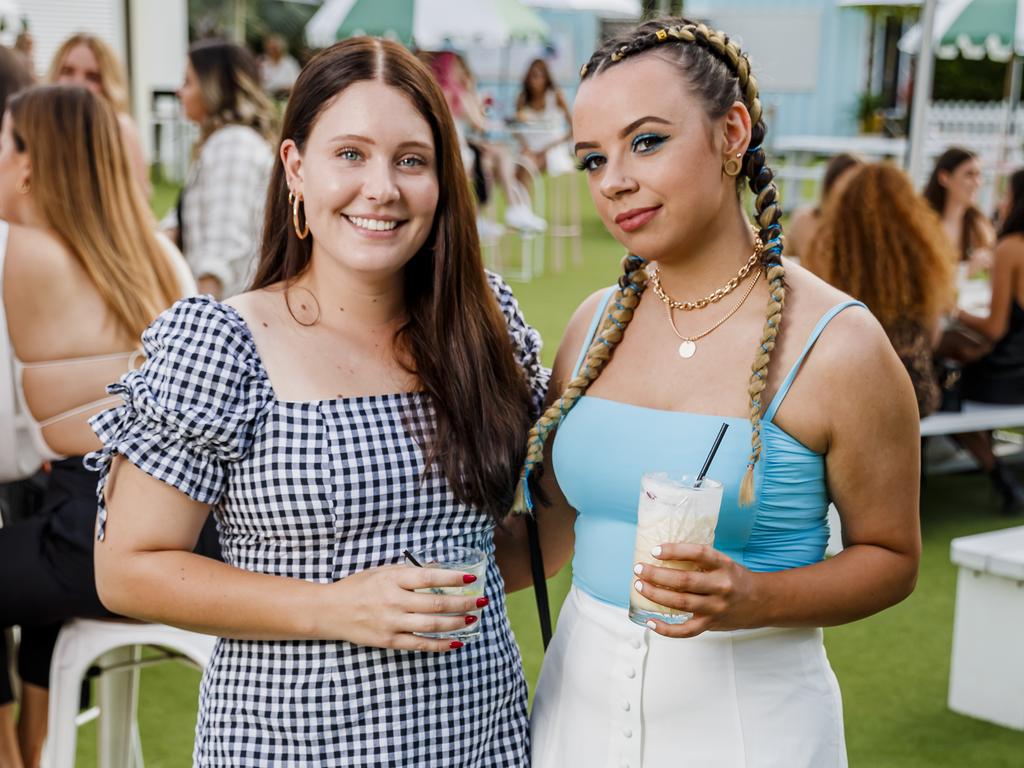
{"x": 719, "y": 73}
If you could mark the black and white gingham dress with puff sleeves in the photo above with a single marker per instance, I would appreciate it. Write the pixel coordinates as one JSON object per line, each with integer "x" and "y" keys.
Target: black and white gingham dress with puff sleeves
{"x": 319, "y": 491}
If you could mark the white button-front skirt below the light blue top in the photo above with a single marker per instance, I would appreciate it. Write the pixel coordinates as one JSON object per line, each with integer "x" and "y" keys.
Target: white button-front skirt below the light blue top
{"x": 616, "y": 695}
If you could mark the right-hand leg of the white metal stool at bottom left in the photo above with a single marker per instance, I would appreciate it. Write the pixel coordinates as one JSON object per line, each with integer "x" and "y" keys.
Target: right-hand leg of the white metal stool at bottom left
{"x": 118, "y": 695}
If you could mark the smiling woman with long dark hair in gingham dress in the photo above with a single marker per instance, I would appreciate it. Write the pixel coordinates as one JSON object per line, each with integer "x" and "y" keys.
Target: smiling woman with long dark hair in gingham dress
{"x": 369, "y": 396}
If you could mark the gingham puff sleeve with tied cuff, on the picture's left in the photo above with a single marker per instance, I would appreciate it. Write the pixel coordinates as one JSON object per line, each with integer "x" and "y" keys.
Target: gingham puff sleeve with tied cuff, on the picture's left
{"x": 194, "y": 407}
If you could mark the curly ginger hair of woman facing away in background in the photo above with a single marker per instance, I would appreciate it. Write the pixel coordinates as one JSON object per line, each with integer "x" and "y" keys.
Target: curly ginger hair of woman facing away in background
{"x": 884, "y": 245}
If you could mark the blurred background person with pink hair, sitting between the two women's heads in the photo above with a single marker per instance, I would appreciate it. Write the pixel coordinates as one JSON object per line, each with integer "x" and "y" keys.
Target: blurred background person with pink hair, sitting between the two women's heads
{"x": 460, "y": 92}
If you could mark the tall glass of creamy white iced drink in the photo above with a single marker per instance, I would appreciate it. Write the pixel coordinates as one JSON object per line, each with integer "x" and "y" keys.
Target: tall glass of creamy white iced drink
{"x": 671, "y": 513}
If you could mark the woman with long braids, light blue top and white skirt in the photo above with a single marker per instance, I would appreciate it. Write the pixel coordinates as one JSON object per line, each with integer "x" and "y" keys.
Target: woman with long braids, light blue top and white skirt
{"x": 667, "y": 122}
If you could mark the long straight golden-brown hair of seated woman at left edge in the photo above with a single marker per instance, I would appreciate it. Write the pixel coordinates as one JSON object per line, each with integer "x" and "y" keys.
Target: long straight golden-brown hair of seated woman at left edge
{"x": 83, "y": 187}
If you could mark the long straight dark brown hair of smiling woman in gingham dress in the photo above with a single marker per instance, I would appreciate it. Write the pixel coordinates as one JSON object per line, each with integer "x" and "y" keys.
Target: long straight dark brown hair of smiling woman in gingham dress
{"x": 456, "y": 335}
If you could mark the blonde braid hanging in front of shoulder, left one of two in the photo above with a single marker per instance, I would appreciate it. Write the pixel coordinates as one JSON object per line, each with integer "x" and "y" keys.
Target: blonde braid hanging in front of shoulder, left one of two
{"x": 610, "y": 333}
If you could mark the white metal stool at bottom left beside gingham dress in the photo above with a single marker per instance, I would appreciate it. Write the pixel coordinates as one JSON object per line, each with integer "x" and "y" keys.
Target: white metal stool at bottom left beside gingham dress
{"x": 116, "y": 647}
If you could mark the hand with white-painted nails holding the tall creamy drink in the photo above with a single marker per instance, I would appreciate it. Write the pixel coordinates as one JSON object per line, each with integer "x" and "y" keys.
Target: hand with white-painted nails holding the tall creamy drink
{"x": 720, "y": 593}
